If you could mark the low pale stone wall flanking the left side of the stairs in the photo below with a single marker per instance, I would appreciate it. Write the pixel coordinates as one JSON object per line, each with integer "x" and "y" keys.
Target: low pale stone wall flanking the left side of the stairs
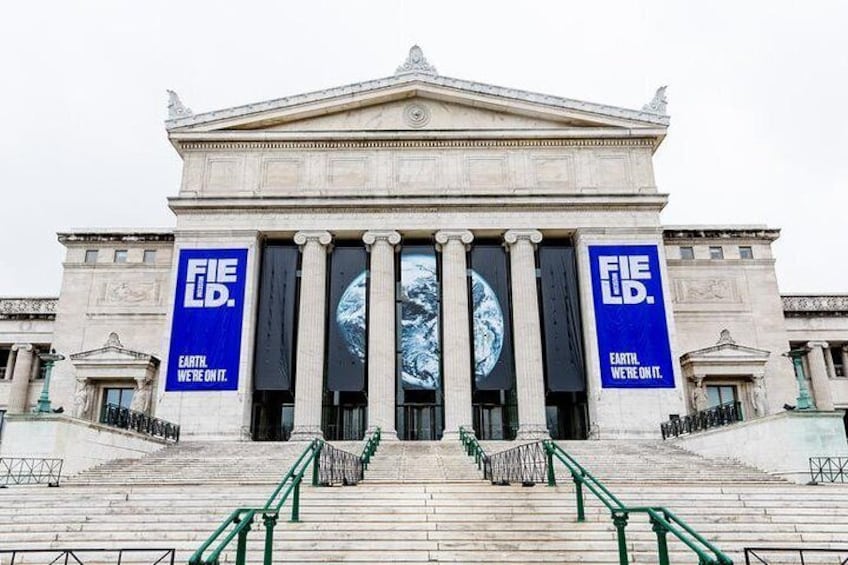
{"x": 80, "y": 443}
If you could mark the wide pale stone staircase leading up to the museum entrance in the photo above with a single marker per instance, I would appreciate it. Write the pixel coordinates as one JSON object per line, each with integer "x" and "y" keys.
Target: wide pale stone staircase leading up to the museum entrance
{"x": 421, "y": 502}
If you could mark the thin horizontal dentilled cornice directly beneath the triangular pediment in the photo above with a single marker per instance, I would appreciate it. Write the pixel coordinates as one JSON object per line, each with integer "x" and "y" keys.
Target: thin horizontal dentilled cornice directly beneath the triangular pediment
{"x": 262, "y": 141}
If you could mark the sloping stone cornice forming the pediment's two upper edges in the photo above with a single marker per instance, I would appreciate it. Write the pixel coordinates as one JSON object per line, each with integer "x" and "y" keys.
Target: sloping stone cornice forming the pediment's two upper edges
{"x": 412, "y": 79}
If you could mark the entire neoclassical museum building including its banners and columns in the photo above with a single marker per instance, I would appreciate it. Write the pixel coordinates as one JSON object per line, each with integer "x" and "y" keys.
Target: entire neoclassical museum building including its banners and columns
{"x": 422, "y": 253}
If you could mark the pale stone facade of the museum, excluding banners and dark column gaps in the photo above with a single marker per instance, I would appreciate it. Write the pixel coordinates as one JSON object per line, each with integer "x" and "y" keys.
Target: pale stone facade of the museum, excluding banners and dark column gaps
{"x": 421, "y": 157}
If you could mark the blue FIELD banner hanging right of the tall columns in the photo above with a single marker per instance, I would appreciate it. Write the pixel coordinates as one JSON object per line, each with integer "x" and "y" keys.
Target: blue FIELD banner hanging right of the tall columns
{"x": 630, "y": 317}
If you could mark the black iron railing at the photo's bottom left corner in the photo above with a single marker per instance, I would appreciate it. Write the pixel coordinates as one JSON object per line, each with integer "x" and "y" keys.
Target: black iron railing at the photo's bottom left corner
{"x": 136, "y": 556}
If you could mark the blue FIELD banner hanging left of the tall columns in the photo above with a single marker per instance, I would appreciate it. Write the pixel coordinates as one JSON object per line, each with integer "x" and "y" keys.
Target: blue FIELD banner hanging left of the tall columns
{"x": 208, "y": 310}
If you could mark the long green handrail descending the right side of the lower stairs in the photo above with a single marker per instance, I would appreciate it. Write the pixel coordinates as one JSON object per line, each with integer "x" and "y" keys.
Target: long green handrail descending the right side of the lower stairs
{"x": 663, "y": 521}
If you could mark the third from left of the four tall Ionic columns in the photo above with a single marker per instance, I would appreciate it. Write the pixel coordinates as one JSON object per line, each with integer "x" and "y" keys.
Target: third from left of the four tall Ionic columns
{"x": 456, "y": 331}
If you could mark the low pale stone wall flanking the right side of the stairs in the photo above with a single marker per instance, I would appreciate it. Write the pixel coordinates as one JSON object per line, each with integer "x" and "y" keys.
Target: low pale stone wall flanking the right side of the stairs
{"x": 781, "y": 444}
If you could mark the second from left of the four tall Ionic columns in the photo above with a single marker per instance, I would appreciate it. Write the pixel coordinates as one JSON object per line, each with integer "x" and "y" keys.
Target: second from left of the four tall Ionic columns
{"x": 381, "y": 331}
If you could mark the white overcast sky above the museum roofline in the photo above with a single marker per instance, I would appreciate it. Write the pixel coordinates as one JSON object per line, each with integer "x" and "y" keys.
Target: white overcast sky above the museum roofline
{"x": 757, "y": 96}
